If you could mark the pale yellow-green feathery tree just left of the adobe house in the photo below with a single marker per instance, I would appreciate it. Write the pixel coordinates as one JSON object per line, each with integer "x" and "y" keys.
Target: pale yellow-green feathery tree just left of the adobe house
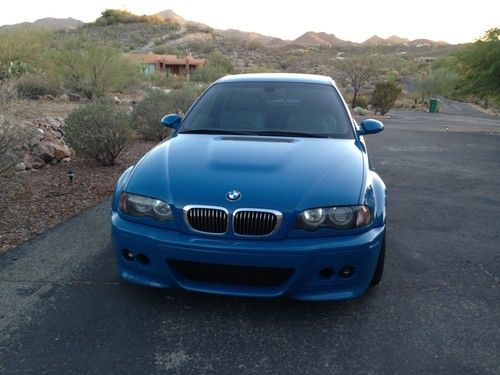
{"x": 93, "y": 67}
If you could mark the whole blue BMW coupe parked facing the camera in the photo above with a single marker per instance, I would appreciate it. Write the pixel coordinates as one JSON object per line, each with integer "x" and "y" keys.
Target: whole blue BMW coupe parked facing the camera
{"x": 265, "y": 189}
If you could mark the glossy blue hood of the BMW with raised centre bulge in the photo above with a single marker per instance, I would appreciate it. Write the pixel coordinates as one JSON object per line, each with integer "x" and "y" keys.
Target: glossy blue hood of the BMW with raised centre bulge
{"x": 287, "y": 174}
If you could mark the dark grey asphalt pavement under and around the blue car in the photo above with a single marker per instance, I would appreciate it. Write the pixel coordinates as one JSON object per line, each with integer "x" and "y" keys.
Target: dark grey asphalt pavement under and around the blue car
{"x": 62, "y": 309}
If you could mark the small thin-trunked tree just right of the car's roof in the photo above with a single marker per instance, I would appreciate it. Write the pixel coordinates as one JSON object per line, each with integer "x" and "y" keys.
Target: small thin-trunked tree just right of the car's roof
{"x": 359, "y": 70}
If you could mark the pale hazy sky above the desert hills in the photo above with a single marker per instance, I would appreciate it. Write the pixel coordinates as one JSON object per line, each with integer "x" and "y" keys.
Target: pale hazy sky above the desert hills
{"x": 451, "y": 21}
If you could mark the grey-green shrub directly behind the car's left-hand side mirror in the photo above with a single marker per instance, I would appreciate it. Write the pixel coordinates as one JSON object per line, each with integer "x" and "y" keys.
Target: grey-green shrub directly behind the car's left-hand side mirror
{"x": 157, "y": 103}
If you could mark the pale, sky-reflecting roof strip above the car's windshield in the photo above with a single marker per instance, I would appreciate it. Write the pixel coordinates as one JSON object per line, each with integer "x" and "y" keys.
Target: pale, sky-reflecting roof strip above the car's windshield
{"x": 278, "y": 77}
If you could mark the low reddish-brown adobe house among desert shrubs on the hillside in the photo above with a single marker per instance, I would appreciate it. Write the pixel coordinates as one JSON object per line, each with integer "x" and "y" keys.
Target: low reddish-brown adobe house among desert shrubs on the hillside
{"x": 169, "y": 64}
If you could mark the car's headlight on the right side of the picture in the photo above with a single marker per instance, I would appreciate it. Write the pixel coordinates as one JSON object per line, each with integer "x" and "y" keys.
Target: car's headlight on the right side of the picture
{"x": 344, "y": 217}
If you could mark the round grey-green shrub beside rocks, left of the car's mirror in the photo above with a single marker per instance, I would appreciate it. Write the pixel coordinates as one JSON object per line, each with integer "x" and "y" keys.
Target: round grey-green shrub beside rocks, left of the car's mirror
{"x": 99, "y": 130}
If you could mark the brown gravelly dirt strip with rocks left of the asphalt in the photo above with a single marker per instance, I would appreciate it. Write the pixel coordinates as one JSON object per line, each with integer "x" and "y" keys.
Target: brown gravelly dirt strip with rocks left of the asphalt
{"x": 33, "y": 201}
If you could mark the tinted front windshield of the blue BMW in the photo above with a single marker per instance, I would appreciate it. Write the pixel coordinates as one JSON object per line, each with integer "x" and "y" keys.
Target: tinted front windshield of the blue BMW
{"x": 270, "y": 108}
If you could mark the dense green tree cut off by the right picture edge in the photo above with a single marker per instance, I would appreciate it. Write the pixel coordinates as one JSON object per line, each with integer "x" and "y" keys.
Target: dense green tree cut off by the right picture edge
{"x": 478, "y": 66}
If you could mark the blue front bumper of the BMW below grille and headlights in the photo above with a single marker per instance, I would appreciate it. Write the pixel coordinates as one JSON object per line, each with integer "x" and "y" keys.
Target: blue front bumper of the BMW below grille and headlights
{"x": 156, "y": 252}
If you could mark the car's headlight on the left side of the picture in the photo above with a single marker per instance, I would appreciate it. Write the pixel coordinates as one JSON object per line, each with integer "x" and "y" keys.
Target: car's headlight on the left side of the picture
{"x": 138, "y": 205}
